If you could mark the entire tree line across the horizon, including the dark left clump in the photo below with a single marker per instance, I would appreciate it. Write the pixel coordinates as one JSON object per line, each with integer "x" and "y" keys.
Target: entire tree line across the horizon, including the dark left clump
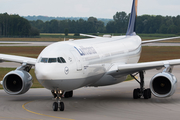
{"x": 14, "y": 25}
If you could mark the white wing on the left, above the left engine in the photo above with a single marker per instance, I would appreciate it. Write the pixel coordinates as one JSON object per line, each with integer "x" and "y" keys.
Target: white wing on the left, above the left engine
{"x": 18, "y": 59}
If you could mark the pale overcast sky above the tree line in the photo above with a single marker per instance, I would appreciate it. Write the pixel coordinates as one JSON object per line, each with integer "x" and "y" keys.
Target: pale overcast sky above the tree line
{"x": 88, "y": 8}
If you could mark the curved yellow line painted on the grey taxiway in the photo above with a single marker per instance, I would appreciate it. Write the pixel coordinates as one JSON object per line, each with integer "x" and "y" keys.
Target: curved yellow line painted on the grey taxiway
{"x": 23, "y": 106}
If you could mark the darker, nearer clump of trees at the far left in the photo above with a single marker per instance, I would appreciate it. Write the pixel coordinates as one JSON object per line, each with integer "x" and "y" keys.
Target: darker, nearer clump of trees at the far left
{"x": 14, "y": 25}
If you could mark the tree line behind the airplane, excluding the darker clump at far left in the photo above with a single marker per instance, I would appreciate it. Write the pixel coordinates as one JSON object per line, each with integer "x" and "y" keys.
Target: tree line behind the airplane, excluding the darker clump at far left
{"x": 144, "y": 24}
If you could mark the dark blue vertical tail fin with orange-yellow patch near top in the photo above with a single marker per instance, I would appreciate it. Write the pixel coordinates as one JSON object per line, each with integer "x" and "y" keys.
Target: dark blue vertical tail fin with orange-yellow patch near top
{"x": 132, "y": 20}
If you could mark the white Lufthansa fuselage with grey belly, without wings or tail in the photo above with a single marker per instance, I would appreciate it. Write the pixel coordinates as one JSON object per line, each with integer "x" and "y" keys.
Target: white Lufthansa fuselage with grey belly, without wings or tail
{"x": 71, "y": 64}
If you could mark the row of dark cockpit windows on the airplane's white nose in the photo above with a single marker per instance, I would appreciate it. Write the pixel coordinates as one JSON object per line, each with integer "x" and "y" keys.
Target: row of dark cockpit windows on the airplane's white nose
{"x": 53, "y": 60}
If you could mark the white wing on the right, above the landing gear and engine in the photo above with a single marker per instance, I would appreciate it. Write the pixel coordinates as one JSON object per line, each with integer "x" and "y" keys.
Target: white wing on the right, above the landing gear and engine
{"x": 125, "y": 69}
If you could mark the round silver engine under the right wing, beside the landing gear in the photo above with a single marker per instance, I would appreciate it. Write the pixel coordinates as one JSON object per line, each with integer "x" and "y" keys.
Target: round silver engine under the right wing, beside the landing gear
{"x": 163, "y": 84}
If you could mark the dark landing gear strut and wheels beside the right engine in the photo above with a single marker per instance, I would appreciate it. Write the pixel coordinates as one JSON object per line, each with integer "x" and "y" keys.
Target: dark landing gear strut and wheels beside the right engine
{"x": 137, "y": 93}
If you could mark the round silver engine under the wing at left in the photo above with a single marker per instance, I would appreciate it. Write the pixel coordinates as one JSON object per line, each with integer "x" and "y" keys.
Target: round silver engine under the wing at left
{"x": 17, "y": 82}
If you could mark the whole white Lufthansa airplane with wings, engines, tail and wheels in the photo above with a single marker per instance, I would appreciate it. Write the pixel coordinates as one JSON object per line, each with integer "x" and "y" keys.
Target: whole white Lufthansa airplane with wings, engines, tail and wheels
{"x": 99, "y": 61}
